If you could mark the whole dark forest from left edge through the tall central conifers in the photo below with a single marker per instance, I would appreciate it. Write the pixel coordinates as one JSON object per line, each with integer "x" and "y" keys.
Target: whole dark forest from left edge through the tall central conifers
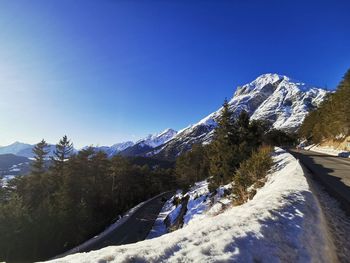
{"x": 71, "y": 197}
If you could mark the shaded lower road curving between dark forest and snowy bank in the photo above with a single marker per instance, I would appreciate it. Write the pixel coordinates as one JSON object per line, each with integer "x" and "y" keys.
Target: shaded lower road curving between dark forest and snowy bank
{"x": 134, "y": 229}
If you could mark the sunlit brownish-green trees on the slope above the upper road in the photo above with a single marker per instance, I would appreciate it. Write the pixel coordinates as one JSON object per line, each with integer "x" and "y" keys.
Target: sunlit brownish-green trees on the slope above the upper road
{"x": 331, "y": 119}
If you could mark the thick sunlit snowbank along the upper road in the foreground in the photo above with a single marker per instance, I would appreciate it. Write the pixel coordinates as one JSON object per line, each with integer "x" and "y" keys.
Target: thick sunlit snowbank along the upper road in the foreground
{"x": 282, "y": 223}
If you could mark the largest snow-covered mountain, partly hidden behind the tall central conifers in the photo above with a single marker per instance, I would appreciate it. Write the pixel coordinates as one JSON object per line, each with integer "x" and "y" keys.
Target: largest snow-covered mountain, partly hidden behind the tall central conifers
{"x": 276, "y": 98}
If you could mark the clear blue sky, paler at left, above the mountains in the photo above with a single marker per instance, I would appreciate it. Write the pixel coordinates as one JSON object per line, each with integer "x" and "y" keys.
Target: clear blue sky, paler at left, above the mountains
{"x": 108, "y": 71}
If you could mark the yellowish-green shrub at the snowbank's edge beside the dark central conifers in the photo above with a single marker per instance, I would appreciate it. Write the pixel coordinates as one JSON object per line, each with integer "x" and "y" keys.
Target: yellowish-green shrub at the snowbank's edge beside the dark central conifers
{"x": 251, "y": 174}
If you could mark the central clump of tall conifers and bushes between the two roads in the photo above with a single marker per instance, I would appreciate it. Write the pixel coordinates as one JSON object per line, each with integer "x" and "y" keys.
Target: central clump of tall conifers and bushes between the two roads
{"x": 224, "y": 159}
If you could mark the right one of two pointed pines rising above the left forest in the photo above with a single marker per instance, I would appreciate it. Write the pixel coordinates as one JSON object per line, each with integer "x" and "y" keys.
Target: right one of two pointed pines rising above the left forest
{"x": 63, "y": 151}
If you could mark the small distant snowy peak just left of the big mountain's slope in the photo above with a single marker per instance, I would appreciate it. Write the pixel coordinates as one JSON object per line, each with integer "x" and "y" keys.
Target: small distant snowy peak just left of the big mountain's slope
{"x": 143, "y": 146}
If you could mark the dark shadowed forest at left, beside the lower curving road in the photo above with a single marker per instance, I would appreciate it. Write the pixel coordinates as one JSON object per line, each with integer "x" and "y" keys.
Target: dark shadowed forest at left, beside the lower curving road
{"x": 71, "y": 197}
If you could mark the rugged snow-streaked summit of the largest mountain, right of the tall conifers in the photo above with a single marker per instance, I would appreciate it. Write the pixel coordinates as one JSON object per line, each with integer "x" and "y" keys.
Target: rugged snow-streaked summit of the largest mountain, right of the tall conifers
{"x": 277, "y": 98}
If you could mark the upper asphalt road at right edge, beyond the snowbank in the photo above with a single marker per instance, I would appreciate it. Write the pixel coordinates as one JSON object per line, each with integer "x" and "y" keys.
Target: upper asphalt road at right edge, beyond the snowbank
{"x": 332, "y": 171}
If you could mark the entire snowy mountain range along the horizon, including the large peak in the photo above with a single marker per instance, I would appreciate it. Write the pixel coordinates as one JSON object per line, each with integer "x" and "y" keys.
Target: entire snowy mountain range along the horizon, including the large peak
{"x": 276, "y": 98}
